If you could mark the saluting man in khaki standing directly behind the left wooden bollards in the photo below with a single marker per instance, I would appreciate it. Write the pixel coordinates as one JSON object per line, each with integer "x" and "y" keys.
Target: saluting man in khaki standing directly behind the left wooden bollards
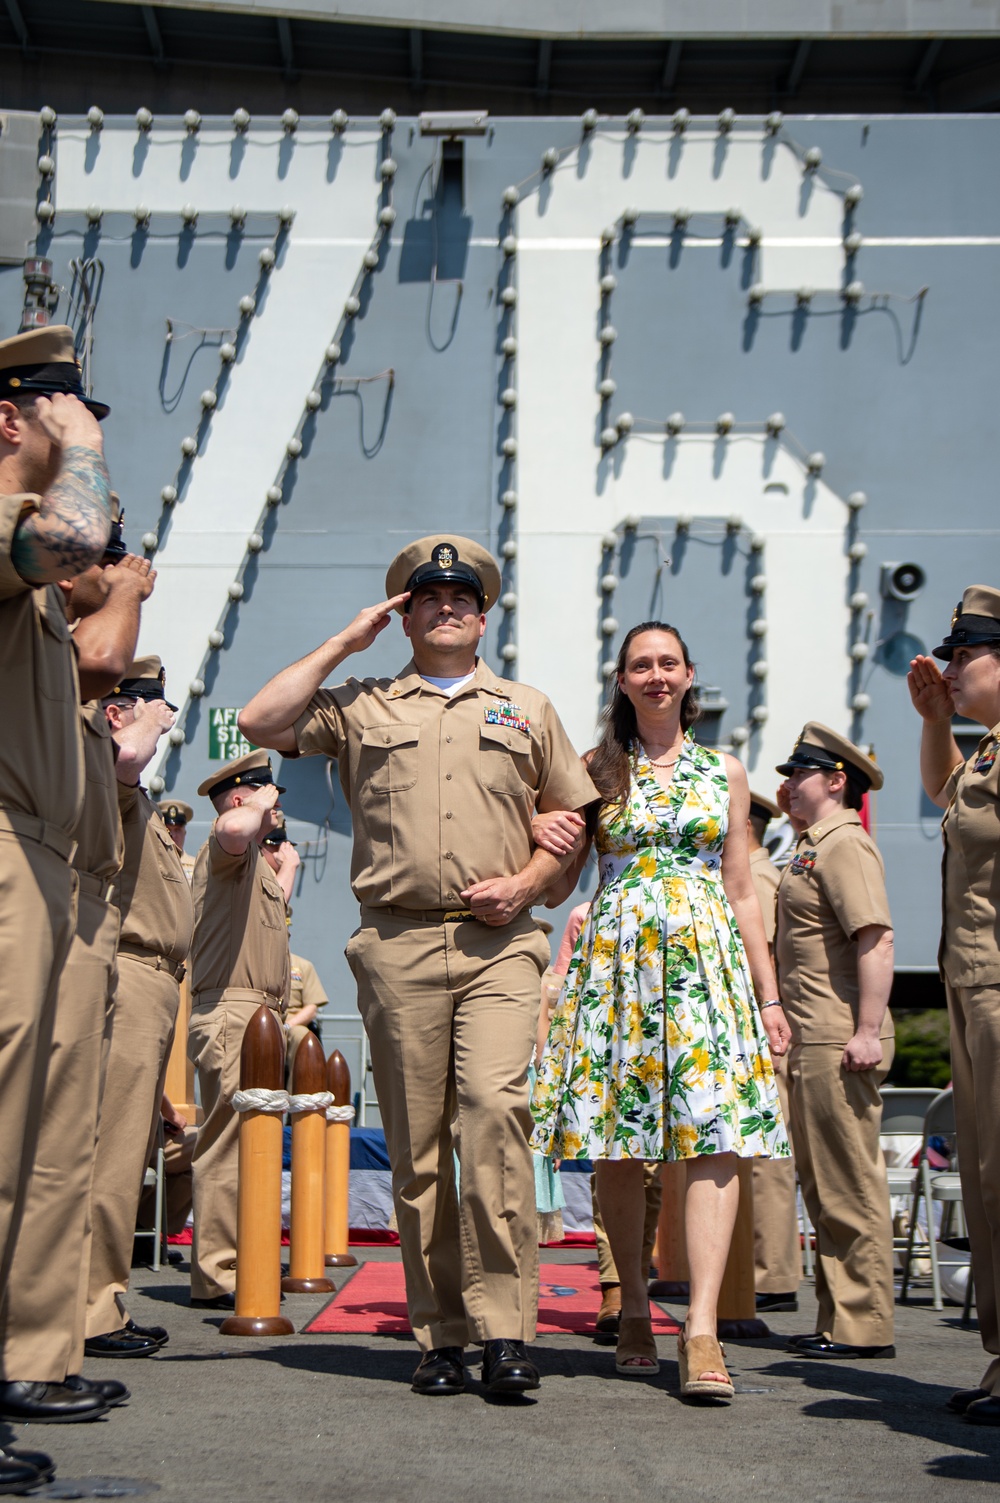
{"x": 240, "y": 960}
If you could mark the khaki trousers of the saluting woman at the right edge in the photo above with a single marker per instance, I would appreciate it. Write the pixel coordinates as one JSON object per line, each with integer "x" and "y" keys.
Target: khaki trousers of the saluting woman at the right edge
{"x": 975, "y": 1014}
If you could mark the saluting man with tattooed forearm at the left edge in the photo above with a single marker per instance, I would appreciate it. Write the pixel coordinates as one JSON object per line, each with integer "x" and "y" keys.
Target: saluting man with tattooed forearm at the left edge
{"x": 55, "y": 522}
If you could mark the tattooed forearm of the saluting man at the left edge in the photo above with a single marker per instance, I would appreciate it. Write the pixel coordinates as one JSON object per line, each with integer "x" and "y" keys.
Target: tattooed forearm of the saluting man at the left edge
{"x": 71, "y": 530}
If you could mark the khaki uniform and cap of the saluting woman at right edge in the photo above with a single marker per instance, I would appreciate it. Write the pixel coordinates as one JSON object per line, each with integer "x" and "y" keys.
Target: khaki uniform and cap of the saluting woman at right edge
{"x": 971, "y": 969}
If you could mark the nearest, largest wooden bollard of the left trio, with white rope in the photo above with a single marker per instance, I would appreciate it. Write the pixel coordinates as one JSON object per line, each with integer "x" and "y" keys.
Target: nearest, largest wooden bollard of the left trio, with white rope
{"x": 259, "y": 1208}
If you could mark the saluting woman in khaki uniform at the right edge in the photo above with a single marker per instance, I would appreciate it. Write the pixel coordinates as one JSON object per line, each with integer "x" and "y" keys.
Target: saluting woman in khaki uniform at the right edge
{"x": 969, "y": 793}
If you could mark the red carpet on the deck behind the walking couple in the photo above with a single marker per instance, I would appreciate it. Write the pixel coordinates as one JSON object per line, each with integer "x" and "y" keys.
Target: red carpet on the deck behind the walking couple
{"x": 374, "y": 1304}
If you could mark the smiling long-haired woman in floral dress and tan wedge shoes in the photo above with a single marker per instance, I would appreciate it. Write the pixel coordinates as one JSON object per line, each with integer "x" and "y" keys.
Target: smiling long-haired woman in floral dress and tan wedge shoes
{"x": 659, "y": 1048}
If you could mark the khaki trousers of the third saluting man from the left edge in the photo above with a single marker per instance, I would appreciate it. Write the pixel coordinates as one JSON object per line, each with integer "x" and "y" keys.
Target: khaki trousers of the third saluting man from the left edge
{"x": 142, "y": 1032}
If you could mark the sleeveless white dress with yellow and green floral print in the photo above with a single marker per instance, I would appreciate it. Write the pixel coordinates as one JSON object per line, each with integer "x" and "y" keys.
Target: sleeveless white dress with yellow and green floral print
{"x": 656, "y": 1050}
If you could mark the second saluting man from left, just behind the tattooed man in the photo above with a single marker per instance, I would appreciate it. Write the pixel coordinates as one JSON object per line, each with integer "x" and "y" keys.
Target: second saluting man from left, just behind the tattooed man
{"x": 43, "y": 1320}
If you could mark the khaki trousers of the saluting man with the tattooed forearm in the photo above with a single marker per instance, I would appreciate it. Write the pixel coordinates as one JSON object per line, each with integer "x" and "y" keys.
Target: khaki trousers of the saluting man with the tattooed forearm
{"x": 38, "y": 916}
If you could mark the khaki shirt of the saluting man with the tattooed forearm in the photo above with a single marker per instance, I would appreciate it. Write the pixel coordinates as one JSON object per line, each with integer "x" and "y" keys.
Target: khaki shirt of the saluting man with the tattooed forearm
{"x": 41, "y": 748}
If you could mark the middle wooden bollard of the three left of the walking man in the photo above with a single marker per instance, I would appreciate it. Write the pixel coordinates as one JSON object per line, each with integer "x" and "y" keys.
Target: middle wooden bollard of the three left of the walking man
{"x": 309, "y": 1166}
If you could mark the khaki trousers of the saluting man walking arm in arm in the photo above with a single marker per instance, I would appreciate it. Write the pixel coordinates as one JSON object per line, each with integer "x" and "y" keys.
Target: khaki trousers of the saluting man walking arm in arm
{"x": 452, "y": 1014}
